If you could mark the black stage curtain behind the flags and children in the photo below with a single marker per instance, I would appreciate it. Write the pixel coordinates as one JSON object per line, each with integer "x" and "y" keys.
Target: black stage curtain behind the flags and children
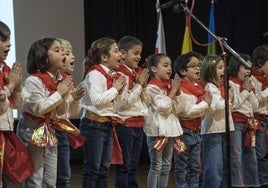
{"x": 242, "y": 22}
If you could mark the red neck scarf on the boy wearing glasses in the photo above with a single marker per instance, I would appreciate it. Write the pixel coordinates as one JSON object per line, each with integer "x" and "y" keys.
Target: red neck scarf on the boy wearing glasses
{"x": 194, "y": 89}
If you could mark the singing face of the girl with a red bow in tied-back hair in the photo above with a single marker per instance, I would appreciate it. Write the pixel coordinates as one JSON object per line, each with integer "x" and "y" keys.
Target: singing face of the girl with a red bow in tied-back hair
{"x": 113, "y": 61}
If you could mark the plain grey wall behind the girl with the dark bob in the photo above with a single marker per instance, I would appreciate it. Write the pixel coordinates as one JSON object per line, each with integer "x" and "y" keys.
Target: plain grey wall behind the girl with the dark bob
{"x": 36, "y": 19}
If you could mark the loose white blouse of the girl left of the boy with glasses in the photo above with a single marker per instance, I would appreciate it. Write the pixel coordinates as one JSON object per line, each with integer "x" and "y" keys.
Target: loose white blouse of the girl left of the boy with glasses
{"x": 162, "y": 114}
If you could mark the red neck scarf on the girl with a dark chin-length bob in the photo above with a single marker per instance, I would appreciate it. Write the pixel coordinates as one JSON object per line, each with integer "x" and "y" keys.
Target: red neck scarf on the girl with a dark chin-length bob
{"x": 47, "y": 80}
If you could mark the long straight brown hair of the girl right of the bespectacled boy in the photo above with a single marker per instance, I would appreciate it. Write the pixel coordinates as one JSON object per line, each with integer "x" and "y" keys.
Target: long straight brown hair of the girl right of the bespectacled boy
{"x": 209, "y": 69}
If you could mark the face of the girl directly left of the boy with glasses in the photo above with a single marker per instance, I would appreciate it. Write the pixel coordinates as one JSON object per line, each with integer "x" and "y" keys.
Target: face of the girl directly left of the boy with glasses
{"x": 163, "y": 70}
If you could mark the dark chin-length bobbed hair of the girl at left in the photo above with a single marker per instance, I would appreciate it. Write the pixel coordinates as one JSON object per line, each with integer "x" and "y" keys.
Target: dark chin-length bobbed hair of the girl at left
{"x": 37, "y": 59}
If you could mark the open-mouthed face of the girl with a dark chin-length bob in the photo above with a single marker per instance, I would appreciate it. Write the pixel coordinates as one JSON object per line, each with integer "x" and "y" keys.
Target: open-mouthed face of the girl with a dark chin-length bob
{"x": 56, "y": 58}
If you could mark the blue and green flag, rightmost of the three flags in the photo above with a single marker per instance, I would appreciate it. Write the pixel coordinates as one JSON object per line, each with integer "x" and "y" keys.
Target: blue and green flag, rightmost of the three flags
{"x": 211, "y": 27}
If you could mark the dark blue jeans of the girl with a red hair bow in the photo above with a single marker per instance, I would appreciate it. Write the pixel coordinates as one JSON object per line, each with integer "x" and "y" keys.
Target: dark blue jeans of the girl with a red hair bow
{"x": 97, "y": 153}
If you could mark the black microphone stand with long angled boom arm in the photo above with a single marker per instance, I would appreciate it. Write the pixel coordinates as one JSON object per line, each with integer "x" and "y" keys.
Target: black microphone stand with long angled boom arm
{"x": 222, "y": 41}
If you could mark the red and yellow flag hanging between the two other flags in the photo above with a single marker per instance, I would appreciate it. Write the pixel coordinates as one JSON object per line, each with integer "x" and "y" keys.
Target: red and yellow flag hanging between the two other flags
{"x": 187, "y": 41}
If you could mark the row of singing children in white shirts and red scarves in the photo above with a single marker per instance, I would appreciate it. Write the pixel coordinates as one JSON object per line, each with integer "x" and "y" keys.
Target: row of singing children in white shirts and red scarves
{"x": 180, "y": 115}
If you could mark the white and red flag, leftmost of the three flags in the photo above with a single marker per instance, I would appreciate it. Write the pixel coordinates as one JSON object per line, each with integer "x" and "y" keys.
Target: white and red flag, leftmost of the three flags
{"x": 160, "y": 46}
